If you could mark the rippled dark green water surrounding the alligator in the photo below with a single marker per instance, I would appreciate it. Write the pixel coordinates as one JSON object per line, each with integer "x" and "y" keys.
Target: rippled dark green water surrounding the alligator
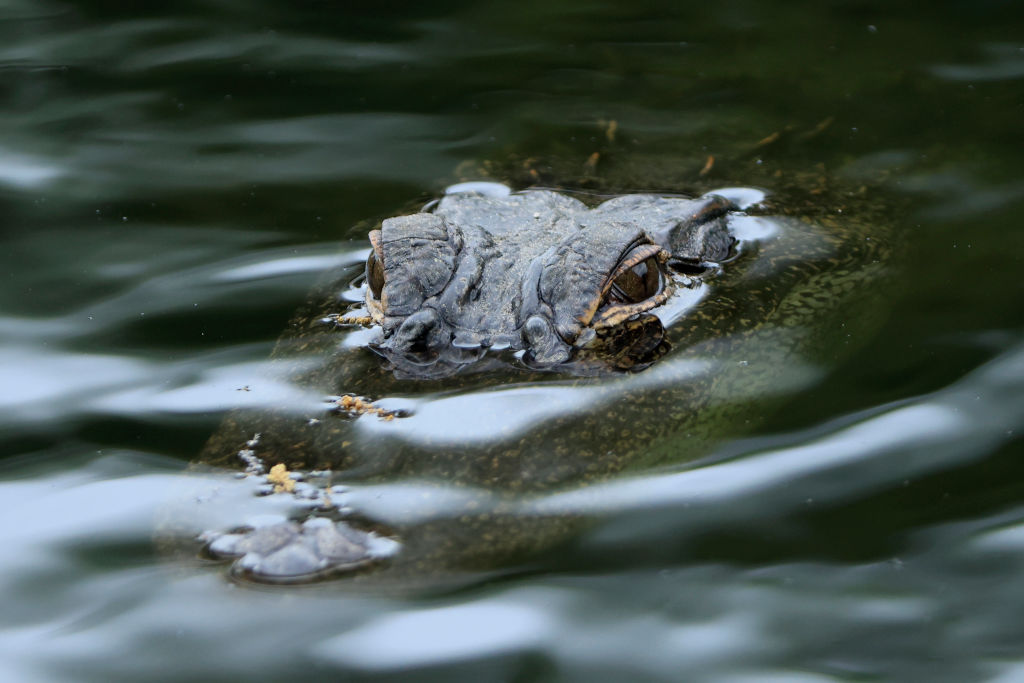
{"x": 175, "y": 180}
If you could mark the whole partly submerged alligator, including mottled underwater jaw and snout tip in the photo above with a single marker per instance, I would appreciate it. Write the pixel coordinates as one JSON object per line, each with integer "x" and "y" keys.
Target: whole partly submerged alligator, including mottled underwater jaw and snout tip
{"x": 513, "y": 327}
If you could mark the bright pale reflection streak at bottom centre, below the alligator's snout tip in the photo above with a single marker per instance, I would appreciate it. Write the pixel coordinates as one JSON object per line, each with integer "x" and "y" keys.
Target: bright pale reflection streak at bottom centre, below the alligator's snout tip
{"x": 536, "y": 620}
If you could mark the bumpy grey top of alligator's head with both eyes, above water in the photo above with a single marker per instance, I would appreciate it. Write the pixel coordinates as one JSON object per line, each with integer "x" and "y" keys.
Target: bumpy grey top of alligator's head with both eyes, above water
{"x": 540, "y": 273}
